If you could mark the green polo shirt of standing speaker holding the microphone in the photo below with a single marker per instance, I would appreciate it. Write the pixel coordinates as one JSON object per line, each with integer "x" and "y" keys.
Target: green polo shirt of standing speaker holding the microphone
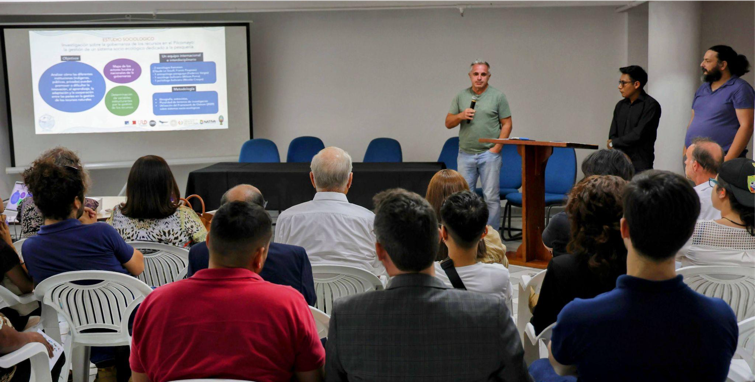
{"x": 491, "y": 107}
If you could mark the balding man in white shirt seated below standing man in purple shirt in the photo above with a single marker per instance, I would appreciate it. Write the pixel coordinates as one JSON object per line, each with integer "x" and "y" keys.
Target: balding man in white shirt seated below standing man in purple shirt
{"x": 702, "y": 160}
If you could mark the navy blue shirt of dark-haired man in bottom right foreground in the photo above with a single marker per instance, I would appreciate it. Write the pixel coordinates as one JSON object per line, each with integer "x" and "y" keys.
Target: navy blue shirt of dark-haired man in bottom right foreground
{"x": 647, "y": 331}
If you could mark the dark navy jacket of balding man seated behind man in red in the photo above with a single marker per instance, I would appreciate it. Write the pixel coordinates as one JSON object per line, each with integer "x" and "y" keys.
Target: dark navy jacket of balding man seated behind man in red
{"x": 285, "y": 265}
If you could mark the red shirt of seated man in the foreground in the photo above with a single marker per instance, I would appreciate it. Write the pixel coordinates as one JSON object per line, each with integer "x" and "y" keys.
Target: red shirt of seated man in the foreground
{"x": 225, "y": 323}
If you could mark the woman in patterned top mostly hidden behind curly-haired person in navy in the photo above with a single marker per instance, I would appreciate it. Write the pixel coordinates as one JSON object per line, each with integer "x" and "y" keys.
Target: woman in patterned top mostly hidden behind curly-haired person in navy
{"x": 28, "y": 214}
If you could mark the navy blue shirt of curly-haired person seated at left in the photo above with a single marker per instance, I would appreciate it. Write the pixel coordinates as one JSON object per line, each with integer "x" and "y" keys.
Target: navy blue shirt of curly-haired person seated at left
{"x": 70, "y": 245}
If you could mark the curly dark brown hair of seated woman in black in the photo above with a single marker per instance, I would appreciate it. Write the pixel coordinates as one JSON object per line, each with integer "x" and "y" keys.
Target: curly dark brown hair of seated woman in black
{"x": 595, "y": 209}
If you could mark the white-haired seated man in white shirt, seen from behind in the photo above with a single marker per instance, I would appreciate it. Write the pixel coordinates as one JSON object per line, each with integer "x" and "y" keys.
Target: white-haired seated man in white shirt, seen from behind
{"x": 332, "y": 230}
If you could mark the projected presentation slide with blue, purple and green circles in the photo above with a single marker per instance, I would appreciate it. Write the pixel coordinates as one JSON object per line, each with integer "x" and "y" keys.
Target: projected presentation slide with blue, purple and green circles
{"x": 129, "y": 80}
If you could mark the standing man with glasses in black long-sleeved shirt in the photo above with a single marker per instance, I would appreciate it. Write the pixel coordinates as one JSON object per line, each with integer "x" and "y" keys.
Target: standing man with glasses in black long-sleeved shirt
{"x": 635, "y": 119}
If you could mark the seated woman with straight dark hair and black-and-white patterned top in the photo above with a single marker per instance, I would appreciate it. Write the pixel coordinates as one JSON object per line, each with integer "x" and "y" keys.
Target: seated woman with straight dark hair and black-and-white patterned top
{"x": 152, "y": 211}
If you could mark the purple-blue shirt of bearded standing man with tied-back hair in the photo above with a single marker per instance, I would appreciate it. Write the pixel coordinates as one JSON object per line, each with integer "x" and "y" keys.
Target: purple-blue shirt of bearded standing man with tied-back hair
{"x": 715, "y": 115}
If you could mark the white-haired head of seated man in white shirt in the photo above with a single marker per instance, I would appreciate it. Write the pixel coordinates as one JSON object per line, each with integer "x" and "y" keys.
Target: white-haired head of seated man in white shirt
{"x": 331, "y": 168}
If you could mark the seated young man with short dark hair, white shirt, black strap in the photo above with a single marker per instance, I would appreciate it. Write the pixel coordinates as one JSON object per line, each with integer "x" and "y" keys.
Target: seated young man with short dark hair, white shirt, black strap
{"x": 464, "y": 216}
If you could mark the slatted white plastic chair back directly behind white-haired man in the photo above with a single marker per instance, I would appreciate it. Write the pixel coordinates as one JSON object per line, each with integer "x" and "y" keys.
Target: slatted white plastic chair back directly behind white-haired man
{"x": 334, "y": 281}
